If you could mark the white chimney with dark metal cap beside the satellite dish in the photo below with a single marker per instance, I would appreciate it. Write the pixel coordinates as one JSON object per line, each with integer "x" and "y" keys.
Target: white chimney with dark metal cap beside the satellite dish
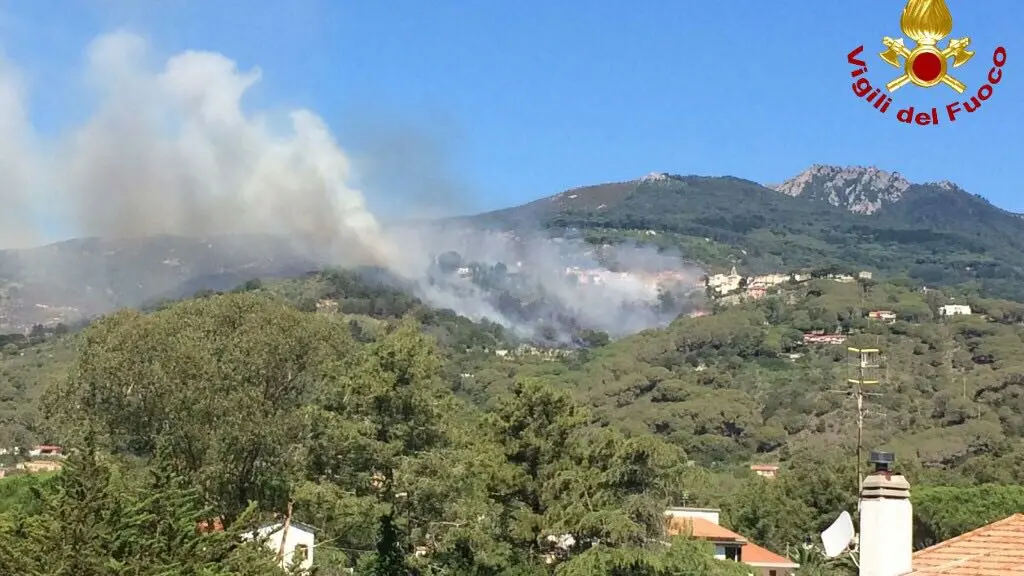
{"x": 886, "y": 521}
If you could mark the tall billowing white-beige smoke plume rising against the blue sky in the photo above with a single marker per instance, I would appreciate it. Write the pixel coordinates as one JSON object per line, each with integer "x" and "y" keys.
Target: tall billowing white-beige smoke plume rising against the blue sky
{"x": 173, "y": 152}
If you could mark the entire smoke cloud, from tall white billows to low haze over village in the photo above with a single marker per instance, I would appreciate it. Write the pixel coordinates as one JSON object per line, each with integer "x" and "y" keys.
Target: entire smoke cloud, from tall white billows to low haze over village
{"x": 170, "y": 150}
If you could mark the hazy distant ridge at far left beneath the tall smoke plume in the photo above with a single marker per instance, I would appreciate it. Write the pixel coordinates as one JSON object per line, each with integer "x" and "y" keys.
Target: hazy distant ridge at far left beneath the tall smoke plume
{"x": 82, "y": 278}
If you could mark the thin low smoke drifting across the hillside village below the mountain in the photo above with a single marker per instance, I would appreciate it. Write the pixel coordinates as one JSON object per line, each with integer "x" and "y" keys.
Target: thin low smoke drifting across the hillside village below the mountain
{"x": 569, "y": 282}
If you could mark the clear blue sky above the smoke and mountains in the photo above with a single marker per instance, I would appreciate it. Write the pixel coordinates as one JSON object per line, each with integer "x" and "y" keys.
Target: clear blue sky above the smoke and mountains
{"x": 514, "y": 101}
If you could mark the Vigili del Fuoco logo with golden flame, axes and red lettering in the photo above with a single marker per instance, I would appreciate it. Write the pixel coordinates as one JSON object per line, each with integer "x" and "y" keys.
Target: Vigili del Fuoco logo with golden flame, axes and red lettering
{"x": 927, "y": 65}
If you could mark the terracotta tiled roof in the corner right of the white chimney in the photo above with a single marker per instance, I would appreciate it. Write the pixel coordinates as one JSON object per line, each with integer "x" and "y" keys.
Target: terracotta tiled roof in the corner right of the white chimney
{"x": 996, "y": 550}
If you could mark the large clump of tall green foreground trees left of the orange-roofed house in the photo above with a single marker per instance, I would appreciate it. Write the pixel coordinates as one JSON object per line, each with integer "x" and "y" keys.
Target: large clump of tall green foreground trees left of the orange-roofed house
{"x": 230, "y": 400}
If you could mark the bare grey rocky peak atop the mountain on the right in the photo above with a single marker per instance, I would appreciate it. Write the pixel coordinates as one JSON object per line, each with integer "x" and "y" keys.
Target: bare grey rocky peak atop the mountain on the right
{"x": 858, "y": 189}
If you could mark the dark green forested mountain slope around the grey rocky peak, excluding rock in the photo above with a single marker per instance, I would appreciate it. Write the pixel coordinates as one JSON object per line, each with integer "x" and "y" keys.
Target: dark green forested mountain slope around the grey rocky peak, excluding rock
{"x": 937, "y": 234}
